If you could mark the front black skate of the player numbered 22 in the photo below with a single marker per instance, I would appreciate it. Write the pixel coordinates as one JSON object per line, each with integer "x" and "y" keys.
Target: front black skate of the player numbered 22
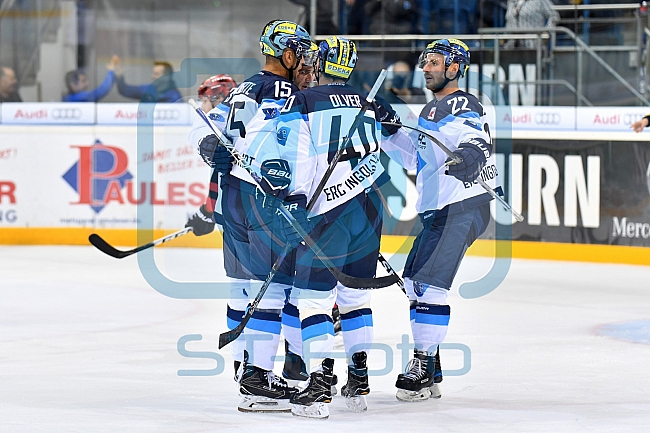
{"x": 414, "y": 383}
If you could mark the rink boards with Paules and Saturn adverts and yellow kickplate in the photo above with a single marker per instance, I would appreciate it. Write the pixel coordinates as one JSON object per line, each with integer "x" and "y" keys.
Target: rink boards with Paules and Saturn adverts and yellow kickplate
{"x": 578, "y": 175}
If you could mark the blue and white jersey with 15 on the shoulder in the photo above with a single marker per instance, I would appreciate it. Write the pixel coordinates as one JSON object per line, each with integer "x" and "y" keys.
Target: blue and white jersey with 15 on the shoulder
{"x": 250, "y": 109}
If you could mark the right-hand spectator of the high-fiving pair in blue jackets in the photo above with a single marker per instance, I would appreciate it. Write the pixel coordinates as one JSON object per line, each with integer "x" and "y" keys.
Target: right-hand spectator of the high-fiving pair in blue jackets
{"x": 163, "y": 88}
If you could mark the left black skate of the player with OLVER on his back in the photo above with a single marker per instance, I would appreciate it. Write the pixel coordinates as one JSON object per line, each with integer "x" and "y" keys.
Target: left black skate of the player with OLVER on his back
{"x": 310, "y": 402}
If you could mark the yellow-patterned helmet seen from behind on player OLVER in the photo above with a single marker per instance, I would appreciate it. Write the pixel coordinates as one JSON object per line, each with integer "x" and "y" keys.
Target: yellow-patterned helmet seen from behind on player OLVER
{"x": 337, "y": 57}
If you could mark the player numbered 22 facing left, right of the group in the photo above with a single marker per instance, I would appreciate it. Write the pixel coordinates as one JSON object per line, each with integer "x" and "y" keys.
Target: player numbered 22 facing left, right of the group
{"x": 453, "y": 208}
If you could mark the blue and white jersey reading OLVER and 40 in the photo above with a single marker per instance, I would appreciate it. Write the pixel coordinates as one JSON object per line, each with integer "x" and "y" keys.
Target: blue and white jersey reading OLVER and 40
{"x": 313, "y": 123}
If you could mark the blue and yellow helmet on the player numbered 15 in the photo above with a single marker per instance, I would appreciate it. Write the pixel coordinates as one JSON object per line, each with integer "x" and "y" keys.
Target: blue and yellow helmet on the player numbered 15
{"x": 278, "y": 35}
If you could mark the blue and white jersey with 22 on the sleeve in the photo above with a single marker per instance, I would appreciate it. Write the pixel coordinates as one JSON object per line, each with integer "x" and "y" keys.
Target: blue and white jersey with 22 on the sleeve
{"x": 455, "y": 119}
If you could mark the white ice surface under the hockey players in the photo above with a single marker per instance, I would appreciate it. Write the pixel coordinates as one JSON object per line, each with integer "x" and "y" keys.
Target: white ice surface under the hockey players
{"x": 86, "y": 345}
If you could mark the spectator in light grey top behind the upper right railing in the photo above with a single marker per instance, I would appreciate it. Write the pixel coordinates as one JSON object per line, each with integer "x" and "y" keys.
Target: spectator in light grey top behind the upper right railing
{"x": 523, "y": 14}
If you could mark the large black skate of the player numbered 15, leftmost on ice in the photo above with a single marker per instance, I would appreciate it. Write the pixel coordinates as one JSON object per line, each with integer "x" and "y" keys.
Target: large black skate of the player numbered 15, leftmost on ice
{"x": 262, "y": 390}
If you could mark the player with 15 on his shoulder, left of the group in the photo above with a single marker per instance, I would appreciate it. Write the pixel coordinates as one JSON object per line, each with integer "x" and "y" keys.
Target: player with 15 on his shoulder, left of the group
{"x": 250, "y": 109}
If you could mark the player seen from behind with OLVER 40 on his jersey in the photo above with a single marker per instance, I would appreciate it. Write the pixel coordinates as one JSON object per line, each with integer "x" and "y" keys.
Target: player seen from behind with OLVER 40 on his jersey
{"x": 345, "y": 220}
